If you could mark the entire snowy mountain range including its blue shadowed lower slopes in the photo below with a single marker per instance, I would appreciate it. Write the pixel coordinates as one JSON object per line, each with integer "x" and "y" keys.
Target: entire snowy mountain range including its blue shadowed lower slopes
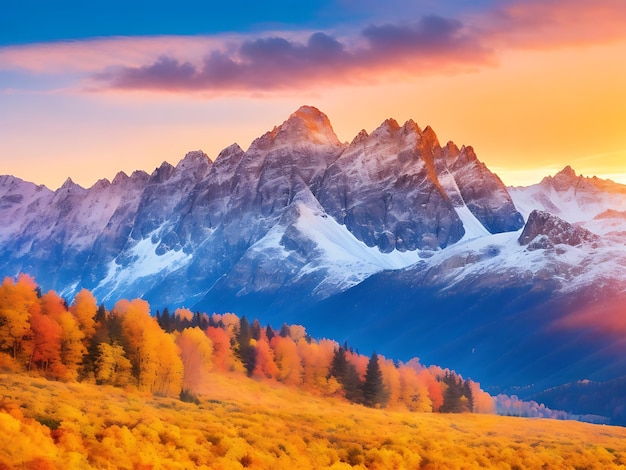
{"x": 392, "y": 241}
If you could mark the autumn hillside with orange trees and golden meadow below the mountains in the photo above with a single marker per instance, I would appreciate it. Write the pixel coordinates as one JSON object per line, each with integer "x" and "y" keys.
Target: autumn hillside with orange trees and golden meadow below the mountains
{"x": 92, "y": 388}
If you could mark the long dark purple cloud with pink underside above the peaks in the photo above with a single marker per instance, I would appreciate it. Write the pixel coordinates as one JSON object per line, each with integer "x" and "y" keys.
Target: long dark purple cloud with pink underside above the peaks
{"x": 431, "y": 44}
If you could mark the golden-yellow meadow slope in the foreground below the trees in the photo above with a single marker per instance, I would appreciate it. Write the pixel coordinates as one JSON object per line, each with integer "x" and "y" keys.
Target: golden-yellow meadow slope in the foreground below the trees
{"x": 239, "y": 422}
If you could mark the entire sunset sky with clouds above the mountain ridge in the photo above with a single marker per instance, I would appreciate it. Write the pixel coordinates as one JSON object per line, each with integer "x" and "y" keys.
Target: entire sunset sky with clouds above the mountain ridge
{"x": 88, "y": 89}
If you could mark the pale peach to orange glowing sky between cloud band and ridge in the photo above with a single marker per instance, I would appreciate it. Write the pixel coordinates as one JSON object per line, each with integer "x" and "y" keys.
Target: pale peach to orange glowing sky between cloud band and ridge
{"x": 528, "y": 116}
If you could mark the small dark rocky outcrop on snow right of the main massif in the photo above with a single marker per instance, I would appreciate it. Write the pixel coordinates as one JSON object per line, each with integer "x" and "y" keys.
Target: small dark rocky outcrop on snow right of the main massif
{"x": 544, "y": 230}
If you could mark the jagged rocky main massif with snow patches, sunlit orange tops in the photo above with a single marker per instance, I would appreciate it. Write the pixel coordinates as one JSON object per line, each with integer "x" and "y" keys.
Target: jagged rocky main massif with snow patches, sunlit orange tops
{"x": 257, "y": 220}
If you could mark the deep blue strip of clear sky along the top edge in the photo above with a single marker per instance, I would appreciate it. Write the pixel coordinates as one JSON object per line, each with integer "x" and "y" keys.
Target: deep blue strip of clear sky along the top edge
{"x": 32, "y": 21}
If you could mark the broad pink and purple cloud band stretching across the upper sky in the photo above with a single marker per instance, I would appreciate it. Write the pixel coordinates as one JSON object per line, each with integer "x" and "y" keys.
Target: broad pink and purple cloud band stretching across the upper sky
{"x": 291, "y": 61}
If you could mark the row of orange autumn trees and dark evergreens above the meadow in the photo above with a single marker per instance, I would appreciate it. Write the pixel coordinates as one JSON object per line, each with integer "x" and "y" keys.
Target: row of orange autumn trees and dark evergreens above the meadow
{"x": 171, "y": 354}
